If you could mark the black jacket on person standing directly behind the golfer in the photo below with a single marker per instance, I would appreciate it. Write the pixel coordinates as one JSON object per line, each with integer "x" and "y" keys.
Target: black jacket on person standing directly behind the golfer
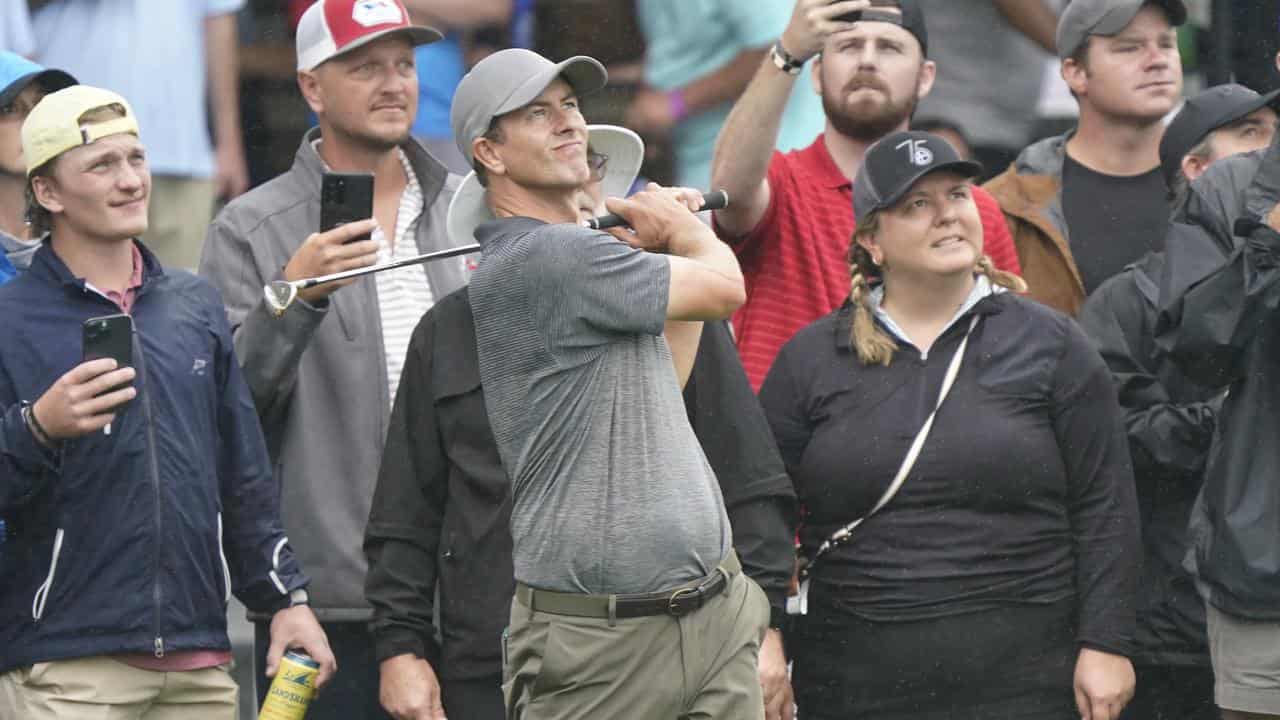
{"x": 442, "y": 507}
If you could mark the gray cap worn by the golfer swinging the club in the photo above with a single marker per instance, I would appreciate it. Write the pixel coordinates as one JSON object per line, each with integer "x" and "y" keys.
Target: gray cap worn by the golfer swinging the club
{"x": 510, "y": 80}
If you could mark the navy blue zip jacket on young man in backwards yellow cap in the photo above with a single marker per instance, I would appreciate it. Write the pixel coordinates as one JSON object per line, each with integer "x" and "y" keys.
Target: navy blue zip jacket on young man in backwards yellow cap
{"x": 132, "y": 541}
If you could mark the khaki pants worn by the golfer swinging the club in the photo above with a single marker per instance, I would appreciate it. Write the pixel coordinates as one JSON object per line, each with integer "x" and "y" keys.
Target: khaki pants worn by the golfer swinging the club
{"x": 703, "y": 666}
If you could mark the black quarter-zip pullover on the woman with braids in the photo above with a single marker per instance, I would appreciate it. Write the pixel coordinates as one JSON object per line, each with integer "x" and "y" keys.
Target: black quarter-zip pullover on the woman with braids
{"x": 1023, "y": 493}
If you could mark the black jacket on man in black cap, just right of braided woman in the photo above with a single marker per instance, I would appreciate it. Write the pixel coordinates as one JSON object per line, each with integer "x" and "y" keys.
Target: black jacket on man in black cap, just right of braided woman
{"x": 1171, "y": 423}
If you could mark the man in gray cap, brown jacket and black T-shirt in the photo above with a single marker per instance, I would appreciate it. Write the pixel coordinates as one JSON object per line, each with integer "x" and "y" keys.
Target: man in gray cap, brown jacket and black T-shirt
{"x": 1085, "y": 206}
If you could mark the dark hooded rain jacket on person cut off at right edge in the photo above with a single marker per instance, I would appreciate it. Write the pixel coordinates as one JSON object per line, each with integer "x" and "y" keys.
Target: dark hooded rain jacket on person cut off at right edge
{"x": 1223, "y": 330}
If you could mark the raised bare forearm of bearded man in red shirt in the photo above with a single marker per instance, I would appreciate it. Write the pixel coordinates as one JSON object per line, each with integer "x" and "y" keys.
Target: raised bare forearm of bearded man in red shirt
{"x": 746, "y": 147}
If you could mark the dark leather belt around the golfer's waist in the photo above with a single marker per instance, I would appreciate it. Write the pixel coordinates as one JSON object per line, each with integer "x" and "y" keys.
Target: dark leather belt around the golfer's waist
{"x": 676, "y": 603}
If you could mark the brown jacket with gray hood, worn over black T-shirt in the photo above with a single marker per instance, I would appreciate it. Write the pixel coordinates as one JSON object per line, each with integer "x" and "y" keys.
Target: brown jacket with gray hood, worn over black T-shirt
{"x": 1031, "y": 197}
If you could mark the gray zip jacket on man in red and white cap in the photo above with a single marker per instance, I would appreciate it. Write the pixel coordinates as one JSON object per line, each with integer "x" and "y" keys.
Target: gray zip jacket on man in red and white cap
{"x": 319, "y": 373}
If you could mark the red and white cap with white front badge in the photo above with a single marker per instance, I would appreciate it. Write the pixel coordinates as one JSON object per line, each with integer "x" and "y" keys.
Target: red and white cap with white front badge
{"x": 333, "y": 28}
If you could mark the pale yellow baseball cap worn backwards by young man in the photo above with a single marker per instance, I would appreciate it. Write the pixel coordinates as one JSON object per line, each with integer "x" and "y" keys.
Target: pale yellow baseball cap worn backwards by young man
{"x": 54, "y": 125}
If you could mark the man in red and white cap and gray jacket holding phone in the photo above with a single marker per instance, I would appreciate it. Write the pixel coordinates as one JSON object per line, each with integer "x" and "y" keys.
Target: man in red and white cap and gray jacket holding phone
{"x": 324, "y": 372}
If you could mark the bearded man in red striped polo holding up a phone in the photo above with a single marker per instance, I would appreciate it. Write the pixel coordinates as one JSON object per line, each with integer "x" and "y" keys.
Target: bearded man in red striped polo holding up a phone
{"x": 790, "y": 222}
